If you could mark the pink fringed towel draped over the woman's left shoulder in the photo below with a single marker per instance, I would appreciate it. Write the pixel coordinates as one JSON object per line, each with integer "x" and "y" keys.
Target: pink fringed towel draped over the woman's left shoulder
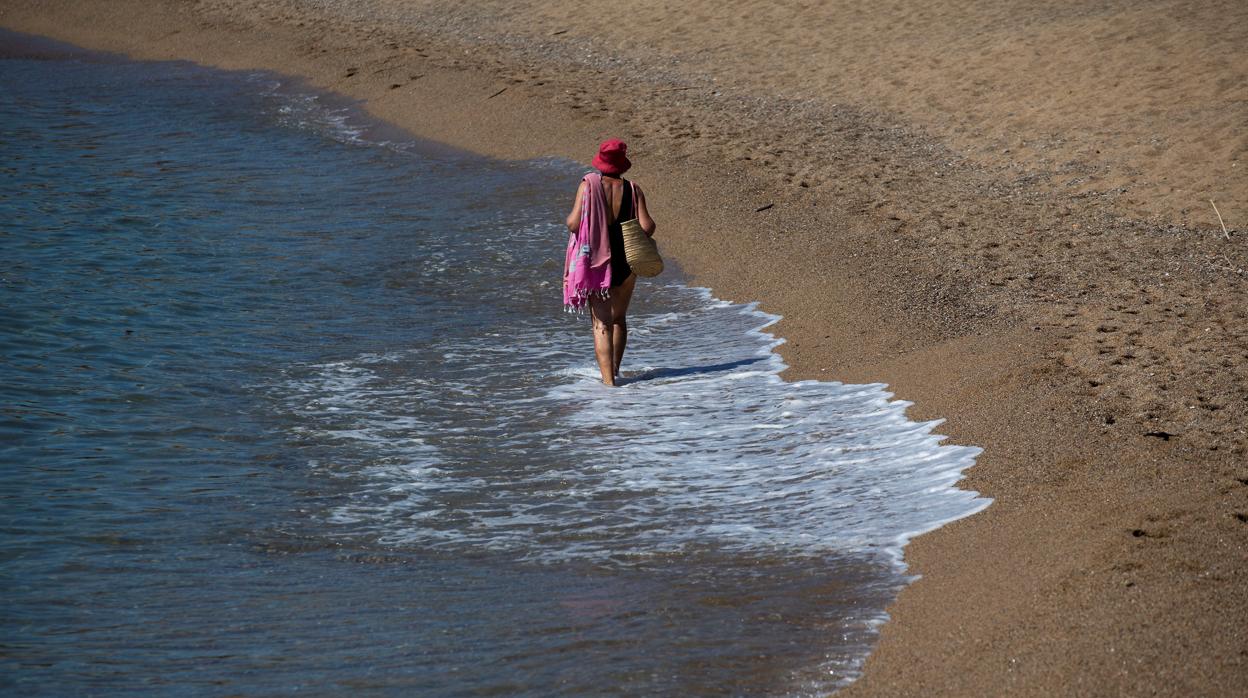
{"x": 588, "y": 263}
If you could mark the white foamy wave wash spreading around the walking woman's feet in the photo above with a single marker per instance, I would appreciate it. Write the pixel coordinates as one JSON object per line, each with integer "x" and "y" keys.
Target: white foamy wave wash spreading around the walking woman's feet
{"x": 704, "y": 446}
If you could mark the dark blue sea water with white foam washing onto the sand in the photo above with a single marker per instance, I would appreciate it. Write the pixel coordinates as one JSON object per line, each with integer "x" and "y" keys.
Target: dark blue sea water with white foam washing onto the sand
{"x": 290, "y": 405}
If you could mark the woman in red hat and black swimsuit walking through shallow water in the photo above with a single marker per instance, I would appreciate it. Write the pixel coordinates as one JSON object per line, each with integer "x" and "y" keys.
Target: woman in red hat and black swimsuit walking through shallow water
{"x": 596, "y": 272}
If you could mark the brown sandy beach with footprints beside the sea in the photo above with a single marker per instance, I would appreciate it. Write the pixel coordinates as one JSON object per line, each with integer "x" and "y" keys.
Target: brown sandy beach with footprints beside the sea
{"x": 1000, "y": 209}
